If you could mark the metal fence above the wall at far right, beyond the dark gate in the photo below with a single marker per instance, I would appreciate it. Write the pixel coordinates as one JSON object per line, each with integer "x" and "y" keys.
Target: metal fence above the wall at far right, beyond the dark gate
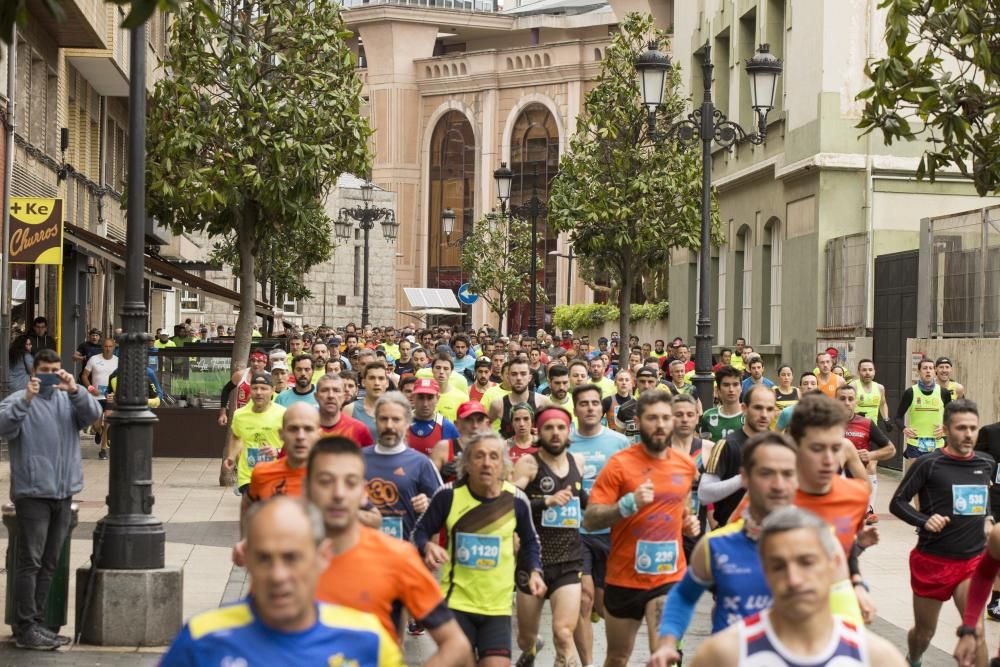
{"x": 960, "y": 274}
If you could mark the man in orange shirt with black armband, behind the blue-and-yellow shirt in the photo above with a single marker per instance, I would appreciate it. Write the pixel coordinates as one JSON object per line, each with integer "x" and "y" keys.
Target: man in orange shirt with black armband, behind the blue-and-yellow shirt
{"x": 370, "y": 571}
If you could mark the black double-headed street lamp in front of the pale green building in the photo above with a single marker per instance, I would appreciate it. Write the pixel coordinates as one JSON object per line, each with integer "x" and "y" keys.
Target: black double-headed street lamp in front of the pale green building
{"x": 709, "y": 125}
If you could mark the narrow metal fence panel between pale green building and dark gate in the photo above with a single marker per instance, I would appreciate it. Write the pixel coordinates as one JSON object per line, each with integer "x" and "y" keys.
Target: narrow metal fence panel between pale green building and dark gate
{"x": 845, "y": 271}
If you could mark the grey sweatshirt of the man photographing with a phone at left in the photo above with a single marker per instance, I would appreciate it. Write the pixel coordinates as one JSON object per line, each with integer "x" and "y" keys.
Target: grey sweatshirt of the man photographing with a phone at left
{"x": 44, "y": 437}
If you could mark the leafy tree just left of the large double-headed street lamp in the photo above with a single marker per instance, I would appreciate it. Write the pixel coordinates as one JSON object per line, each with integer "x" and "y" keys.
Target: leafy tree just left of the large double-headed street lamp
{"x": 624, "y": 198}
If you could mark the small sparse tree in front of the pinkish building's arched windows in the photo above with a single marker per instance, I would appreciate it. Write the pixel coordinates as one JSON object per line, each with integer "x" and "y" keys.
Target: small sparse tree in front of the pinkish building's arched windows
{"x": 497, "y": 258}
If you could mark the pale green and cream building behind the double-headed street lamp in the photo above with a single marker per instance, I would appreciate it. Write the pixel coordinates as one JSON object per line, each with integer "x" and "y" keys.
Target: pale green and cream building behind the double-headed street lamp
{"x": 807, "y": 213}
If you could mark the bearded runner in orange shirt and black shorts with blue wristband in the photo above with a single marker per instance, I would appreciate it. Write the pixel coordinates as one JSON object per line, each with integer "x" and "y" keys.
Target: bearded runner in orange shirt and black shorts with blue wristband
{"x": 643, "y": 495}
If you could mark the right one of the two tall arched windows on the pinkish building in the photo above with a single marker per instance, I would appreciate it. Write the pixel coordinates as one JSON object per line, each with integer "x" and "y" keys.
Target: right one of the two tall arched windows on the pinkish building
{"x": 534, "y": 159}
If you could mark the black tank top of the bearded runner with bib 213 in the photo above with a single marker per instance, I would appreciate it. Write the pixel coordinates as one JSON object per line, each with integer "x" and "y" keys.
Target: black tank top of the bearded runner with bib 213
{"x": 559, "y": 544}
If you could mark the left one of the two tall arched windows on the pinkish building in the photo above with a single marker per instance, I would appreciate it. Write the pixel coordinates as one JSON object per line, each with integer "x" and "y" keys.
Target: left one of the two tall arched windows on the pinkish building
{"x": 452, "y": 185}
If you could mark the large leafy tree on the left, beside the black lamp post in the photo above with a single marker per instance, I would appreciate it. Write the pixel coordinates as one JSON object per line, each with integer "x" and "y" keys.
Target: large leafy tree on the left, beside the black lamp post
{"x": 259, "y": 116}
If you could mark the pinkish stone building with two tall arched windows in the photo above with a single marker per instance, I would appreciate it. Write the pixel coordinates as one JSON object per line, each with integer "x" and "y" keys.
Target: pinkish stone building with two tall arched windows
{"x": 455, "y": 88}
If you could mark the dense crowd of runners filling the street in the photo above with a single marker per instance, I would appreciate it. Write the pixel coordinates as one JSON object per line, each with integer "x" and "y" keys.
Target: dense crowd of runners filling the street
{"x": 452, "y": 483}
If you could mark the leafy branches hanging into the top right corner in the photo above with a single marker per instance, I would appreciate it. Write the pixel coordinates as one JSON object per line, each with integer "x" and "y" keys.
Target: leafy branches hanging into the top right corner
{"x": 940, "y": 81}
